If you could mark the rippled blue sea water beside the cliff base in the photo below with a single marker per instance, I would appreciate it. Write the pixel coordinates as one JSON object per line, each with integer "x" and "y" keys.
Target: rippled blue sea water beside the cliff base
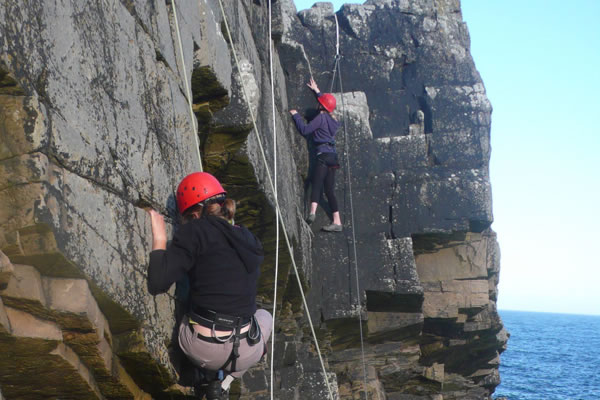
{"x": 550, "y": 357}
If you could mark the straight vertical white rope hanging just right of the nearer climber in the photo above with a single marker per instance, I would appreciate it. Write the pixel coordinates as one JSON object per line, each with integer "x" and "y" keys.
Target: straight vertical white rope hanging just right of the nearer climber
{"x": 275, "y": 195}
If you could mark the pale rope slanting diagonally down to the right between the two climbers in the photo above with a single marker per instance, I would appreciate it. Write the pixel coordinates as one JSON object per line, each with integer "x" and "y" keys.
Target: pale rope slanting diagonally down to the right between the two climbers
{"x": 277, "y": 205}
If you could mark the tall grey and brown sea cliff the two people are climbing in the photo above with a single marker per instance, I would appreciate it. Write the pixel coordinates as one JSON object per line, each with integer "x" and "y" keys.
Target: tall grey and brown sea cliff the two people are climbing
{"x": 95, "y": 125}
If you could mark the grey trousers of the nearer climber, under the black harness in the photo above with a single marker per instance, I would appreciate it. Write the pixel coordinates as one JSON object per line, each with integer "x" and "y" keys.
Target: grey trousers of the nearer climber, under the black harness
{"x": 212, "y": 356}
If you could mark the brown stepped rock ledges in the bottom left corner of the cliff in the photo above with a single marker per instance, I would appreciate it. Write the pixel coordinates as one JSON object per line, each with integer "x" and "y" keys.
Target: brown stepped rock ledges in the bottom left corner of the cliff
{"x": 53, "y": 330}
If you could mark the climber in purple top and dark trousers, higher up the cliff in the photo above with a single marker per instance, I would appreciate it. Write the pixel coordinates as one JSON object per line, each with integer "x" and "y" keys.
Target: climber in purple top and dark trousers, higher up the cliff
{"x": 323, "y": 128}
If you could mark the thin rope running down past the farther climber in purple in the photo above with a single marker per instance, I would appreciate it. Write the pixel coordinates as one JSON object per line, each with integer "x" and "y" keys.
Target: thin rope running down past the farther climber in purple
{"x": 337, "y": 68}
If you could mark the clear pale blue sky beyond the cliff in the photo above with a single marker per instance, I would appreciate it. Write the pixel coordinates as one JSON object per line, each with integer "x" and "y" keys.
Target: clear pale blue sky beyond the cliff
{"x": 540, "y": 63}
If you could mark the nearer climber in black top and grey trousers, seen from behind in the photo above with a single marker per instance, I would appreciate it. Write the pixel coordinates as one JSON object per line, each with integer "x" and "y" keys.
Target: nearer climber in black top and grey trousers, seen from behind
{"x": 223, "y": 333}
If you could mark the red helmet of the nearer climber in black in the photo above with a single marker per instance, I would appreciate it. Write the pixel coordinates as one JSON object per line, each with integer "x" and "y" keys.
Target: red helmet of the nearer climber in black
{"x": 195, "y": 188}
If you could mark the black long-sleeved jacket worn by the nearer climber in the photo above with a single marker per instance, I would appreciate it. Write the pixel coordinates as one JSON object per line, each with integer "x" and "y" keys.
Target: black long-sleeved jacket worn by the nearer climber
{"x": 221, "y": 260}
